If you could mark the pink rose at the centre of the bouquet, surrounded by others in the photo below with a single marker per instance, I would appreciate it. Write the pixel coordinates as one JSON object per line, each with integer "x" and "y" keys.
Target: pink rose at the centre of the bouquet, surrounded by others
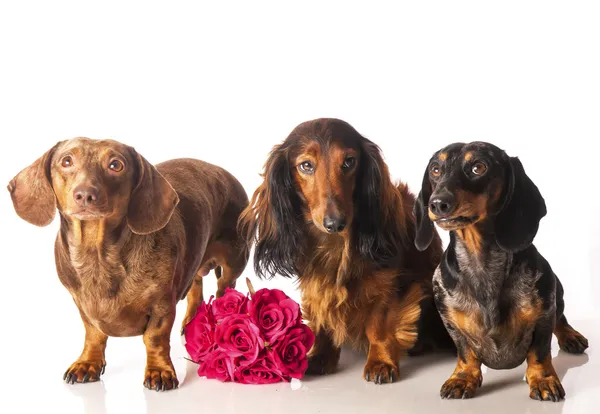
{"x": 240, "y": 338}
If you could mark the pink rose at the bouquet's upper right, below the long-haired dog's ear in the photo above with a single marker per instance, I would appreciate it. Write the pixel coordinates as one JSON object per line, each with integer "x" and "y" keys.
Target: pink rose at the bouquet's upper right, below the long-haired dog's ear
{"x": 274, "y": 313}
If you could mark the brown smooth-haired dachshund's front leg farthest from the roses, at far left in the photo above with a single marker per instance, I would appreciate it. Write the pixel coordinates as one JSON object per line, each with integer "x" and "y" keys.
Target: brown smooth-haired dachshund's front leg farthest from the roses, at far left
{"x": 90, "y": 364}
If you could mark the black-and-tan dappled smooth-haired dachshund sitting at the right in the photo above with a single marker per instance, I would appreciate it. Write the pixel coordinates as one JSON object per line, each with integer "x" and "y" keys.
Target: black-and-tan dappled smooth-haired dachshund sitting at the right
{"x": 498, "y": 297}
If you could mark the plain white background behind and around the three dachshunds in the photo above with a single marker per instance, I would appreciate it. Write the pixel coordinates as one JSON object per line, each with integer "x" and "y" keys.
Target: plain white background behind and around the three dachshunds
{"x": 225, "y": 83}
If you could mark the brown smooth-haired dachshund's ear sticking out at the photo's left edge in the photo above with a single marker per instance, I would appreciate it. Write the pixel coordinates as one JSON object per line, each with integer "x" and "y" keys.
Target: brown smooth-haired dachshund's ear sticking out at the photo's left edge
{"x": 32, "y": 193}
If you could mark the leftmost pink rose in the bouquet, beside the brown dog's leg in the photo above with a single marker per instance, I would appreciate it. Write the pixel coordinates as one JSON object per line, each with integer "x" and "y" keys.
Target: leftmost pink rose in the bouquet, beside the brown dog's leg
{"x": 199, "y": 338}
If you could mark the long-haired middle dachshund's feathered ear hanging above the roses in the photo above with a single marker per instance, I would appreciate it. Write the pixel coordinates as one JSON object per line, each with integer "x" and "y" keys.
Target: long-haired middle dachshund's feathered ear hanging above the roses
{"x": 272, "y": 219}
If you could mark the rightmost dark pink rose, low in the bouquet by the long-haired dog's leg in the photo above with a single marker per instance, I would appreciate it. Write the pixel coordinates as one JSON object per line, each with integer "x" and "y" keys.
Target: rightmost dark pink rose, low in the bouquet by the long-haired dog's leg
{"x": 290, "y": 353}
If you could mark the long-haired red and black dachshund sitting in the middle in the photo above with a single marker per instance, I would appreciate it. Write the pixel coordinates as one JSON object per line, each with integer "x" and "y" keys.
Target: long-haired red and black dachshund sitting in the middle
{"x": 328, "y": 213}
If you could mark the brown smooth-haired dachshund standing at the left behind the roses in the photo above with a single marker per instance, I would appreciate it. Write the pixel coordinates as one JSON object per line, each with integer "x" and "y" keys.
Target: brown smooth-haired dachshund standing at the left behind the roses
{"x": 134, "y": 239}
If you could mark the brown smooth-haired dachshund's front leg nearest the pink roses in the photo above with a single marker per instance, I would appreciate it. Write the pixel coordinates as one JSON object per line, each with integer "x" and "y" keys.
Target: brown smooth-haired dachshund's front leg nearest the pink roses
{"x": 160, "y": 373}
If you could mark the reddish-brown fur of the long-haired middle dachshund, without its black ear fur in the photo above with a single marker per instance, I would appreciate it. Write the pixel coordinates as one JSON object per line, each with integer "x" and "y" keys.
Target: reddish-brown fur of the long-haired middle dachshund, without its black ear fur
{"x": 347, "y": 298}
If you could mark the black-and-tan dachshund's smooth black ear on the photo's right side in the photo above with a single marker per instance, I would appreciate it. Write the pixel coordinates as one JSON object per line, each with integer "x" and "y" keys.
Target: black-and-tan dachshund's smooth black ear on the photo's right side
{"x": 518, "y": 221}
